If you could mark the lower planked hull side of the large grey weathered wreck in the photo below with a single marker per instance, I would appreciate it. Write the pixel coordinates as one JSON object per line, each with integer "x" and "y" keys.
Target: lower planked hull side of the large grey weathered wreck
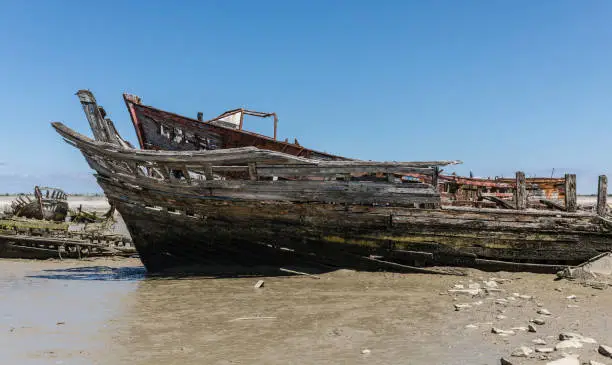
{"x": 224, "y": 232}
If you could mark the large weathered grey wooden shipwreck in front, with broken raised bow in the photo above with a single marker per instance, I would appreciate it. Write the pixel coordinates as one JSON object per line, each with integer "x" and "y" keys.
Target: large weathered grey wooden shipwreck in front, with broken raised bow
{"x": 221, "y": 208}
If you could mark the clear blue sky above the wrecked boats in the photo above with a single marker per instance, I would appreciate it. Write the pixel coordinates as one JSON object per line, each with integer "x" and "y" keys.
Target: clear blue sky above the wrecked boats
{"x": 503, "y": 86}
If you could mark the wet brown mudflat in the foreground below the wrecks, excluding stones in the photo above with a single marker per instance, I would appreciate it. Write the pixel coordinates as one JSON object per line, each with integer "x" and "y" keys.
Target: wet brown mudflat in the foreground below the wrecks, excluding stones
{"x": 107, "y": 311}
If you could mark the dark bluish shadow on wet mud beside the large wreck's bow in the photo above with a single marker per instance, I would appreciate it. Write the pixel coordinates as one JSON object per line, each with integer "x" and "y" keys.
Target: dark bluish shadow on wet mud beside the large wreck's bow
{"x": 101, "y": 273}
